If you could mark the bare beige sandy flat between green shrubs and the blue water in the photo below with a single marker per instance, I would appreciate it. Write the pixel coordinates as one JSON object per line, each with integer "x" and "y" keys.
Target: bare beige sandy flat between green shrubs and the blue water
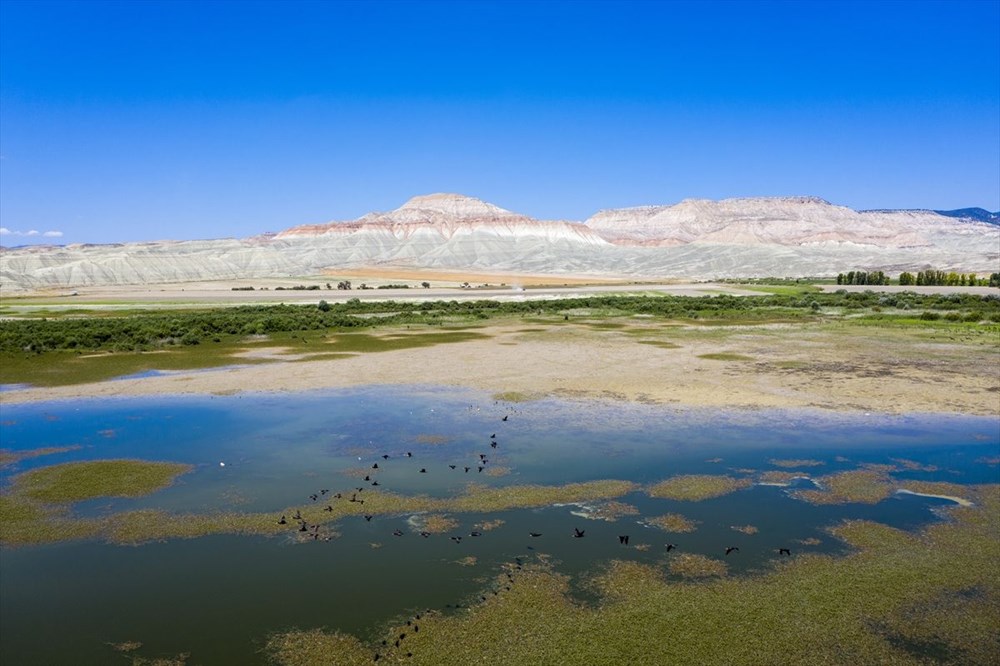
{"x": 814, "y": 366}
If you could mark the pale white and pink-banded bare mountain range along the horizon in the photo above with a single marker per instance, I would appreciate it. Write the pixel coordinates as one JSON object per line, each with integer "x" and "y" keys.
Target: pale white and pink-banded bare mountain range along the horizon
{"x": 694, "y": 239}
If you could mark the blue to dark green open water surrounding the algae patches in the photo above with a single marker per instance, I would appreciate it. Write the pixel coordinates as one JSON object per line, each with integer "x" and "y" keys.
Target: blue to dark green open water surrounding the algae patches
{"x": 218, "y": 597}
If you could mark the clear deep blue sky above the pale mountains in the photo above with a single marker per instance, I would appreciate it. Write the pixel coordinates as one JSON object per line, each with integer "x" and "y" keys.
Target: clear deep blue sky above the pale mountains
{"x": 137, "y": 120}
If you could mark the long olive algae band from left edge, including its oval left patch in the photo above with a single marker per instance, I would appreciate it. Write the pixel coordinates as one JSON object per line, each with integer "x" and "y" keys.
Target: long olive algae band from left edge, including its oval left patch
{"x": 35, "y": 510}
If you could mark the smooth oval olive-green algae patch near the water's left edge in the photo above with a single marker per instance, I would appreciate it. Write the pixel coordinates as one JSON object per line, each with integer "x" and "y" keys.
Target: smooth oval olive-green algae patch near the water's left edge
{"x": 74, "y": 482}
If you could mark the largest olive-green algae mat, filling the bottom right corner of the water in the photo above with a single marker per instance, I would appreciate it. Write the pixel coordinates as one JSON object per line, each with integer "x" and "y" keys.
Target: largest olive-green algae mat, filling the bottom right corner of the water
{"x": 898, "y": 598}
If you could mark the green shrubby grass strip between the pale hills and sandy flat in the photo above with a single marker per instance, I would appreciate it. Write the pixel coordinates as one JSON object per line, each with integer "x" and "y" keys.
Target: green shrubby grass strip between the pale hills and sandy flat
{"x": 50, "y": 348}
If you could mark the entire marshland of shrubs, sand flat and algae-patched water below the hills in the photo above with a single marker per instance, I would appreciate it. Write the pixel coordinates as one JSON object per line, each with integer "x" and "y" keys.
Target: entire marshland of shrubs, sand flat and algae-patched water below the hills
{"x": 302, "y": 492}
